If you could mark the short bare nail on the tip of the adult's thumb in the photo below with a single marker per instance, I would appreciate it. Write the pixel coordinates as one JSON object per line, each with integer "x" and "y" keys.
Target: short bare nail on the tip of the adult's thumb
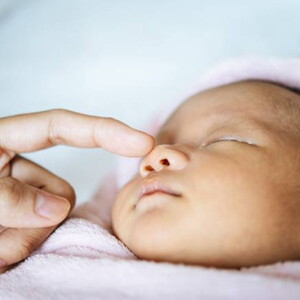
{"x": 50, "y": 206}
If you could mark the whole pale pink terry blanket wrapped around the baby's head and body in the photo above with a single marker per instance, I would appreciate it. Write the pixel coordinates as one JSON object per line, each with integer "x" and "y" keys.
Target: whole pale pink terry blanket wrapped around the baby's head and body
{"x": 83, "y": 260}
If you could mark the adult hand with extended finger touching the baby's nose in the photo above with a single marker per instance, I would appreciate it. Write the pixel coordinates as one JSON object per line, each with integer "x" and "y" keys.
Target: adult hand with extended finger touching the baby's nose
{"x": 33, "y": 201}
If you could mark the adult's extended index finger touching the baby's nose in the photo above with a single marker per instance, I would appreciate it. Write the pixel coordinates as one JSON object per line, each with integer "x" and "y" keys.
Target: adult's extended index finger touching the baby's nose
{"x": 35, "y": 131}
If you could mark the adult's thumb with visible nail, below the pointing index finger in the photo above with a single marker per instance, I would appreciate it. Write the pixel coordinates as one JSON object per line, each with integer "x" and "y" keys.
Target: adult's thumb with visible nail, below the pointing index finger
{"x": 24, "y": 206}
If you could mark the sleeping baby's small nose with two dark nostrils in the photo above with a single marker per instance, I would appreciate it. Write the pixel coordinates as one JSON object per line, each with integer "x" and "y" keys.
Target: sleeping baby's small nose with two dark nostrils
{"x": 161, "y": 157}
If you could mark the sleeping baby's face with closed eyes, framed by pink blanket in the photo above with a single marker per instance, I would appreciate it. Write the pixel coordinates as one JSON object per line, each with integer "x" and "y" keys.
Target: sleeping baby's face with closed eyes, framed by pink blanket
{"x": 230, "y": 157}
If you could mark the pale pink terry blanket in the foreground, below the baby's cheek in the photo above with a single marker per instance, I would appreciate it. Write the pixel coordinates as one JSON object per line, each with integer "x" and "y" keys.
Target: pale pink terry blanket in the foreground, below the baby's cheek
{"x": 81, "y": 260}
